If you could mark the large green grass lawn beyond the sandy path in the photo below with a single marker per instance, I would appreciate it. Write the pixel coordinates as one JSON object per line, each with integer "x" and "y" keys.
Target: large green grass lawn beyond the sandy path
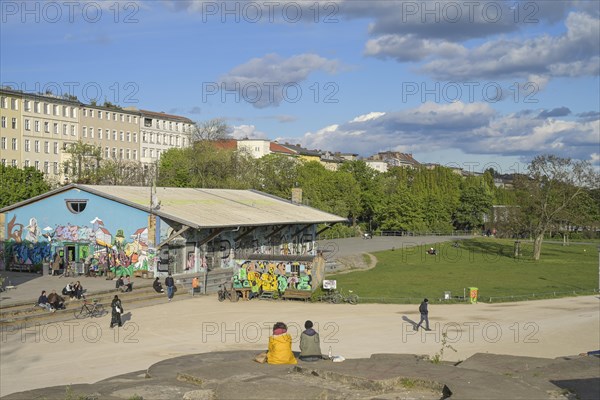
{"x": 410, "y": 274}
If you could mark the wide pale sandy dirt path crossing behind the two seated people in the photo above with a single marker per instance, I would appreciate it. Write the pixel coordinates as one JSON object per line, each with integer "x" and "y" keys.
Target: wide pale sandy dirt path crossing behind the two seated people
{"x": 88, "y": 351}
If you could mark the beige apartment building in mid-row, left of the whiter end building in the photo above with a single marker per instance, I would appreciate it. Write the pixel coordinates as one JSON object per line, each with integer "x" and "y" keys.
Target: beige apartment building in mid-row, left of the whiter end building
{"x": 113, "y": 129}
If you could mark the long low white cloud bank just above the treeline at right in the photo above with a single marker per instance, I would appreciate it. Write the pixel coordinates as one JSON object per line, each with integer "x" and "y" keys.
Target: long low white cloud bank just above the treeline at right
{"x": 473, "y": 128}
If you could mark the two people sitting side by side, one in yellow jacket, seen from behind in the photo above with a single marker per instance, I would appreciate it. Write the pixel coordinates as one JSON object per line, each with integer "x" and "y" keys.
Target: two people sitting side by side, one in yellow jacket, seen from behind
{"x": 280, "y": 345}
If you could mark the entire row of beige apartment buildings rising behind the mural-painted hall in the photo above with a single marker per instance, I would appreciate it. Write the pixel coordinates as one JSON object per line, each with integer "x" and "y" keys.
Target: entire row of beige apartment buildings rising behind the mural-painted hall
{"x": 36, "y": 129}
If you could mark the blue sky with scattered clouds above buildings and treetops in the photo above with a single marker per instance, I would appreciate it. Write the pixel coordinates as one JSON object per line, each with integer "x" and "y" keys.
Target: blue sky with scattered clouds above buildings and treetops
{"x": 474, "y": 84}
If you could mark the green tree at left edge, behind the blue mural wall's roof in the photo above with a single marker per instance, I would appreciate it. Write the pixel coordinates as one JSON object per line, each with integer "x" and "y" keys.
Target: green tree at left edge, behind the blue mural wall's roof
{"x": 20, "y": 184}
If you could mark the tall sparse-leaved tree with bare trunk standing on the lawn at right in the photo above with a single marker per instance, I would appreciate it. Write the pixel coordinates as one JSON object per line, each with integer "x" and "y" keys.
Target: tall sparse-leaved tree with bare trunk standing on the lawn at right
{"x": 552, "y": 186}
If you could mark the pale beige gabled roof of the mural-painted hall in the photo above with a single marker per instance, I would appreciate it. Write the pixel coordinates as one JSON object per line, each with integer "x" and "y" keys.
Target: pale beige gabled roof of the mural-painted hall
{"x": 206, "y": 208}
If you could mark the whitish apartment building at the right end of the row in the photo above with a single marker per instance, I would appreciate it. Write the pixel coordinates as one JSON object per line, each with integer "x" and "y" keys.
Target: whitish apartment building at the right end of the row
{"x": 160, "y": 132}
